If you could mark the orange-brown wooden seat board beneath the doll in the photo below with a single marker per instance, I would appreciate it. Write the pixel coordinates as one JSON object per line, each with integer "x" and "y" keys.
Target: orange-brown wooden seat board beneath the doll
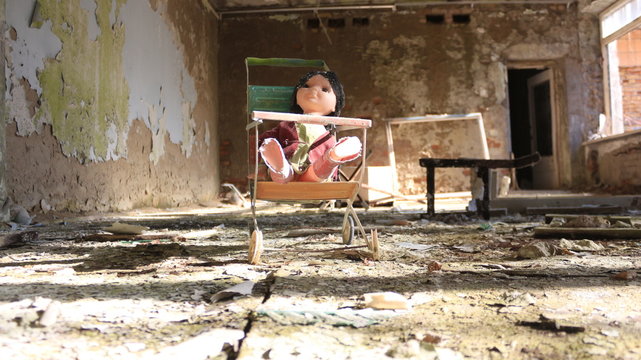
{"x": 268, "y": 190}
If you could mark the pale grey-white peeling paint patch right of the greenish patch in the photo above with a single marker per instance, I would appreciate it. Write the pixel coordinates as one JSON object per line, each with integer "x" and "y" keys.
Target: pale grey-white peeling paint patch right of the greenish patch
{"x": 155, "y": 70}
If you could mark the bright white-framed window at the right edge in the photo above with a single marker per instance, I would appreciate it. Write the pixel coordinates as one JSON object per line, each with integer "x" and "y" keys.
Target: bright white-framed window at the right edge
{"x": 621, "y": 39}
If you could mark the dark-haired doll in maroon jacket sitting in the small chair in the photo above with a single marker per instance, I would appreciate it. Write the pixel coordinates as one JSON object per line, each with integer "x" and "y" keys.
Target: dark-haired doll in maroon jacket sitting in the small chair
{"x": 308, "y": 152}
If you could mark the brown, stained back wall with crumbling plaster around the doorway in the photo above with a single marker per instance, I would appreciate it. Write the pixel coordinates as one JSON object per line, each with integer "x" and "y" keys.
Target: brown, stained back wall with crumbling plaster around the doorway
{"x": 401, "y": 66}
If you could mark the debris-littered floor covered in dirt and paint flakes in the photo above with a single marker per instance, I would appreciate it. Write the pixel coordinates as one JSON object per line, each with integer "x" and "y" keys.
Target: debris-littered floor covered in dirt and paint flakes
{"x": 473, "y": 289}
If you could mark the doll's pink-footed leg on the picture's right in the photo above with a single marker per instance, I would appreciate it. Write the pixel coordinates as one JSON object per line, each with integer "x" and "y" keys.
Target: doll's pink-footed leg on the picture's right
{"x": 346, "y": 149}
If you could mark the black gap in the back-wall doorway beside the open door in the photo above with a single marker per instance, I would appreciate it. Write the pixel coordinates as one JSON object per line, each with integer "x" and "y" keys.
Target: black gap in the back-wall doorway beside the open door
{"x": 525, "y": 139}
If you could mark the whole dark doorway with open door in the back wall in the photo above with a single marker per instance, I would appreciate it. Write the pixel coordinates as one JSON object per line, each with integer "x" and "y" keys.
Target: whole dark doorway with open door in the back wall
{"x": 532, "y": 123}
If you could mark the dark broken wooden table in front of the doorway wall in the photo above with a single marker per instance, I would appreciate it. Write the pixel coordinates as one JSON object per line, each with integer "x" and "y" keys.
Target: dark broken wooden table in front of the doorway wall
{"x": 482, "y": 167}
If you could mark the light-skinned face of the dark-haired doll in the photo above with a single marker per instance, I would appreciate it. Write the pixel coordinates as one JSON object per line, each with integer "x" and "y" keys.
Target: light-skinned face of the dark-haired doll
{"x": 316, "y": 97}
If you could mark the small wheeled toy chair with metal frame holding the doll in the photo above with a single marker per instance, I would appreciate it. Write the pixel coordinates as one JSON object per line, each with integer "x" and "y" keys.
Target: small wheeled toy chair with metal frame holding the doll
{"x": 272, "y": 103}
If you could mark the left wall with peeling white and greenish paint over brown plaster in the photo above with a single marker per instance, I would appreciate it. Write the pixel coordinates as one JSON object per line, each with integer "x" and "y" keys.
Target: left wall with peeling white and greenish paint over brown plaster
{"x": 111, "y": 103}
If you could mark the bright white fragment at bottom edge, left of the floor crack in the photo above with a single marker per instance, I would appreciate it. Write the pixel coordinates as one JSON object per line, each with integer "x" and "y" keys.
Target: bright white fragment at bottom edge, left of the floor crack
{"x": 203, "y": 346}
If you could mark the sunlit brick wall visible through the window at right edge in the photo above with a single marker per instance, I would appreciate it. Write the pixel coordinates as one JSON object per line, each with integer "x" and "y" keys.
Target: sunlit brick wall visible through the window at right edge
{"x": 631, "y": 83}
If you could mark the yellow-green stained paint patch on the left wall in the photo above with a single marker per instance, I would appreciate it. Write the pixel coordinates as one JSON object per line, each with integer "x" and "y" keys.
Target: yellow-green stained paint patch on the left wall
{"x": 85, "y": 93}
